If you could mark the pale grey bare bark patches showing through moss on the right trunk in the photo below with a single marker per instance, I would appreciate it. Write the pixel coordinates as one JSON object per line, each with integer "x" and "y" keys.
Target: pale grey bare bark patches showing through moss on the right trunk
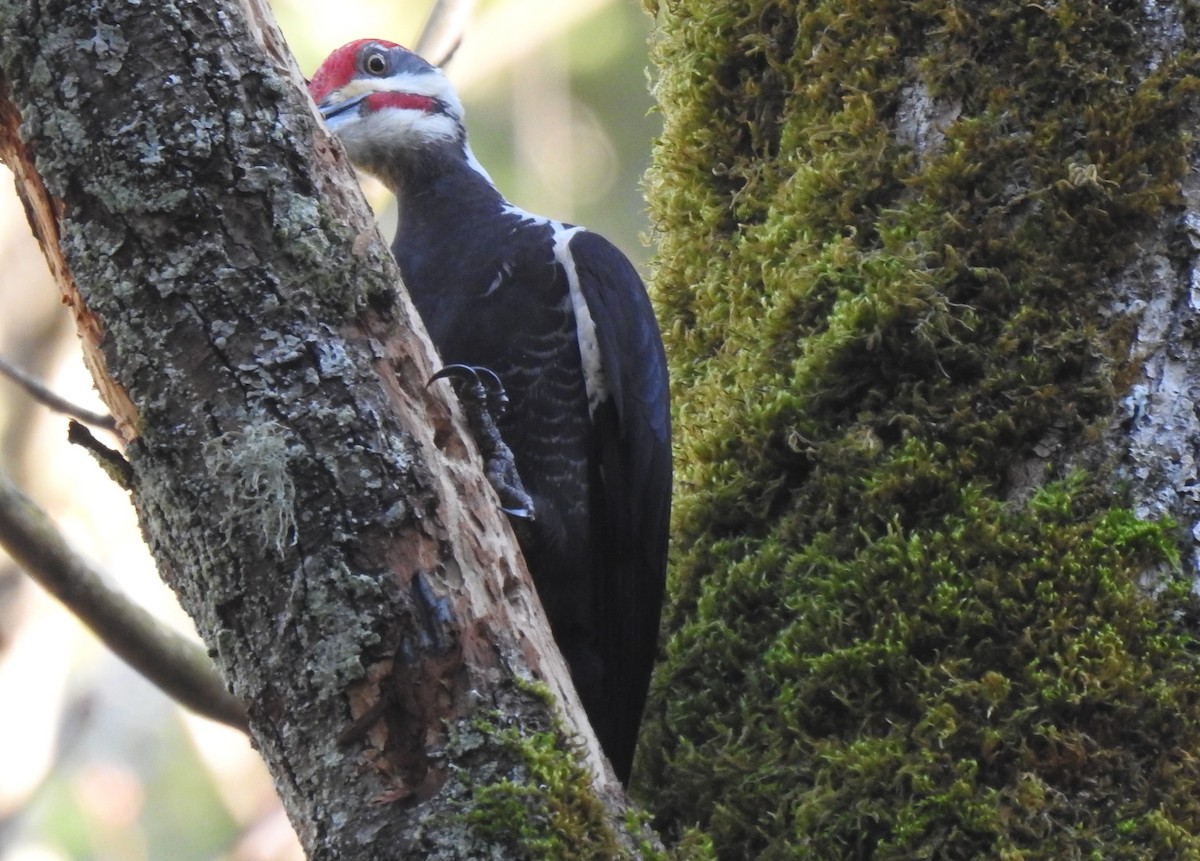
{"x": 1151, "y": 444}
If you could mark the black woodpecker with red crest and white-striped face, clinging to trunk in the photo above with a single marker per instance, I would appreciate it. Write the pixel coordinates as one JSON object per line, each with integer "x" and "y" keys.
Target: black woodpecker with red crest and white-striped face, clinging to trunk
{"x": 562, "y": 320}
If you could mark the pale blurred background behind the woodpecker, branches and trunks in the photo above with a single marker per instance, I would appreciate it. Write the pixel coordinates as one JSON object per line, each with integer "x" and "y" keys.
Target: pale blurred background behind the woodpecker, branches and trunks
{"x": 94, "y": 762}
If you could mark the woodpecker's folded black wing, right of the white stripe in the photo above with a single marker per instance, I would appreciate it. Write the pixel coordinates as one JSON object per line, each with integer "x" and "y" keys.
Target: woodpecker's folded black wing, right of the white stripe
{"x": 632, "y": 486}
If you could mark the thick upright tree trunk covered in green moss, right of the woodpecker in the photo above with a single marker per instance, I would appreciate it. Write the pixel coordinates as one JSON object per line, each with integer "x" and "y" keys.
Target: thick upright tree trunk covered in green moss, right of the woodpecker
{"x": 928, "y": 280}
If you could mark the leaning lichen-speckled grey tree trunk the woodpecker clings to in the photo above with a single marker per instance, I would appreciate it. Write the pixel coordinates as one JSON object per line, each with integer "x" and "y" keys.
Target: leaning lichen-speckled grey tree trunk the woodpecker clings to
{"x": 315, "y": 505}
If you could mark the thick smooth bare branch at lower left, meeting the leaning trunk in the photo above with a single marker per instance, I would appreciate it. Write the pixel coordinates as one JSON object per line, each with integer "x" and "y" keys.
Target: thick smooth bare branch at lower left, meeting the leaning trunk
{"x": 172, "y": 663}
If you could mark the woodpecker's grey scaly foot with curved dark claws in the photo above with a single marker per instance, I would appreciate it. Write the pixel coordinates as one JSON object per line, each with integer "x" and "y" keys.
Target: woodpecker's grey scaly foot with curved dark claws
{"x": 484, "y": 401}
